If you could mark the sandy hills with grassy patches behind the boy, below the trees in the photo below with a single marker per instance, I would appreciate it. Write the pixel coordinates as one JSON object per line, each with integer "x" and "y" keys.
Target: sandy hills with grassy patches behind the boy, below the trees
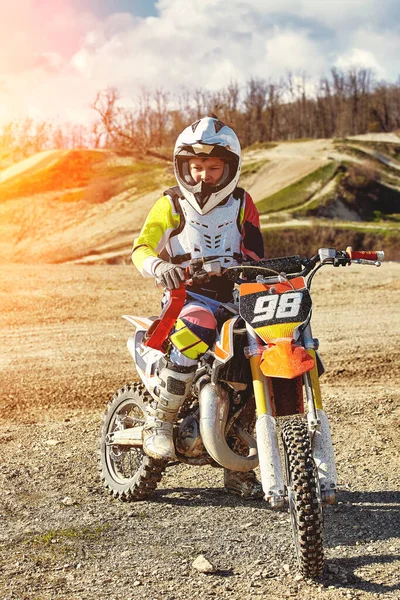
{"x": 88, "y": 205}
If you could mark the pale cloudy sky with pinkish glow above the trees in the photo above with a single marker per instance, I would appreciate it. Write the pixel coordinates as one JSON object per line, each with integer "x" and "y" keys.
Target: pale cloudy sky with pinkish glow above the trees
{"x": 55, "y": 56}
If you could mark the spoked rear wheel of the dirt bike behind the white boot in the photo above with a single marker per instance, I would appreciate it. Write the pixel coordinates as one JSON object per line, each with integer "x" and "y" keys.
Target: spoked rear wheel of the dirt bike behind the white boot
{"x": 127, "y": 472}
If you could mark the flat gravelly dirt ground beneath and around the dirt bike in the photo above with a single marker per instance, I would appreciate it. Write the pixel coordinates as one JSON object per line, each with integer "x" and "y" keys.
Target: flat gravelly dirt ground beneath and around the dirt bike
{"x": 62, "y": 537}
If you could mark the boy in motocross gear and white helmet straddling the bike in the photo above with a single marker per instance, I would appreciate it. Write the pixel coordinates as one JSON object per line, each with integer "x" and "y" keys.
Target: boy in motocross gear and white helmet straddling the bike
{"x": 205, "y": 216}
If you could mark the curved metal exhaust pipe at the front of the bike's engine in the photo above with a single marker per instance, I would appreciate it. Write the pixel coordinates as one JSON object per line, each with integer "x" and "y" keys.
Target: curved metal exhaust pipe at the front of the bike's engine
{"x": 214, "y": 409}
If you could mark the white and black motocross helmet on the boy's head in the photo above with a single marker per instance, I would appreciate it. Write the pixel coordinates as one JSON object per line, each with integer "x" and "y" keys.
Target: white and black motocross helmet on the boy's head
{"x": 206, "y": 138}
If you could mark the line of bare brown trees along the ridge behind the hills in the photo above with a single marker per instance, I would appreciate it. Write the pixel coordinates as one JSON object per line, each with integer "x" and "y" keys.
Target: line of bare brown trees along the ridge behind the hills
{"x": 294, "y": 107}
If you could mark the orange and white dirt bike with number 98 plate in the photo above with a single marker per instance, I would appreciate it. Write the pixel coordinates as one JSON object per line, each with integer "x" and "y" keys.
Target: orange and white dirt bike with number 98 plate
{"x": 264, "y": 362}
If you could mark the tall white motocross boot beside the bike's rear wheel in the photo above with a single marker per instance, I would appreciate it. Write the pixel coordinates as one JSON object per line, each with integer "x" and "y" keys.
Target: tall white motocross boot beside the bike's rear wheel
{"x": 173, "y": 388}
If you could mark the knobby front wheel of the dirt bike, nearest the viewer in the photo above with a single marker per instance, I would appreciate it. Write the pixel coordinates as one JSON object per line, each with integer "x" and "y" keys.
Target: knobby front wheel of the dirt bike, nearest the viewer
{"x": 304, "y": 498}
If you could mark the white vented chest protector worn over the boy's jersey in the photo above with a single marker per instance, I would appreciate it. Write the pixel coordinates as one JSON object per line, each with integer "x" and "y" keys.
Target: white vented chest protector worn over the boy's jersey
{"x": 214, "y": 234}
